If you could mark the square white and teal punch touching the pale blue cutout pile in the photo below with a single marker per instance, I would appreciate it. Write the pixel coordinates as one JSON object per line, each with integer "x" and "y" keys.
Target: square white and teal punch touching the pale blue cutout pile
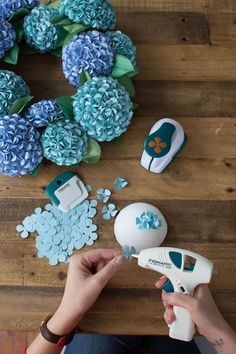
{"x": 66, "y": 191}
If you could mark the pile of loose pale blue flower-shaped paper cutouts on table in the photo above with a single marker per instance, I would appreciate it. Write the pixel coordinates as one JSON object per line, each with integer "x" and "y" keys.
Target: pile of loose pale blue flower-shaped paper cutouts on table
{"x": 59, "y": 233}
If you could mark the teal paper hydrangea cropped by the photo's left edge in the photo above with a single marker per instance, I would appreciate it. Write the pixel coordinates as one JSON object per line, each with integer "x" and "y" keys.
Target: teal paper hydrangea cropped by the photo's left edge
{"x": 12, "y": 87}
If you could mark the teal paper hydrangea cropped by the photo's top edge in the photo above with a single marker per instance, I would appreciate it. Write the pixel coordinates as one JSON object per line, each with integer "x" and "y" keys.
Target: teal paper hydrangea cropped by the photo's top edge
{"x": 98, "y": 14}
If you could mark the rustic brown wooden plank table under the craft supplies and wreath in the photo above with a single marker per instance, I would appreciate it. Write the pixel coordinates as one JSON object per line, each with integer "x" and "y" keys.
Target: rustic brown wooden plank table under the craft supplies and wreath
{"x": 187, "y": 59}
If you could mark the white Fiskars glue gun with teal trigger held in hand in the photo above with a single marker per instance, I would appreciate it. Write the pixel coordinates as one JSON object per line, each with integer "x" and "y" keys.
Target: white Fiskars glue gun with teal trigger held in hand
{"x": 185, "y": 270}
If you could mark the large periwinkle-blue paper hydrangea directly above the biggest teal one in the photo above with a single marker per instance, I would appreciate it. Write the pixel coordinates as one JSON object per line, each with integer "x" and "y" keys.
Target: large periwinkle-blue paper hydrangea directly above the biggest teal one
{"x": 90, "y": 51}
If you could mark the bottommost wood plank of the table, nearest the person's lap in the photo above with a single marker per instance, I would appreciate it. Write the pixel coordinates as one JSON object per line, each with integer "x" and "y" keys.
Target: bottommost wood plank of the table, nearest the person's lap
{"x": 25, "y": 308}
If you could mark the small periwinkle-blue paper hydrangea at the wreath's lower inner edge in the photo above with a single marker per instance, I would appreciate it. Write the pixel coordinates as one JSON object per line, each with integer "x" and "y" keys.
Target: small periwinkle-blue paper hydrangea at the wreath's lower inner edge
{"x": 43, "y": 113}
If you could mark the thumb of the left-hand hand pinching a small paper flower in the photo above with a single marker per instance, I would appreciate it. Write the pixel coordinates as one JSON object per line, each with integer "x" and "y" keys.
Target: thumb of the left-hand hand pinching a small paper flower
{"x": 106, "y": 273}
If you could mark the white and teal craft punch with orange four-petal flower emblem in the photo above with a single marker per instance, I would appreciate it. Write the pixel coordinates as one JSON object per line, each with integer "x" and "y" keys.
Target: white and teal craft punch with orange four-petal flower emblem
{"x": 165, "y": 140}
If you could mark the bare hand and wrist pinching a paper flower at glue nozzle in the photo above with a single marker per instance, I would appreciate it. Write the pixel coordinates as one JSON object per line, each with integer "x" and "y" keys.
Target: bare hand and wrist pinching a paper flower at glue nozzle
{"x": 87, "y": 275}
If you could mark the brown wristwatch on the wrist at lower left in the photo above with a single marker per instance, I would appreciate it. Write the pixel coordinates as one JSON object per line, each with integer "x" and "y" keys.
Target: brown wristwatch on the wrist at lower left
{"x": 60, "y": 341}
